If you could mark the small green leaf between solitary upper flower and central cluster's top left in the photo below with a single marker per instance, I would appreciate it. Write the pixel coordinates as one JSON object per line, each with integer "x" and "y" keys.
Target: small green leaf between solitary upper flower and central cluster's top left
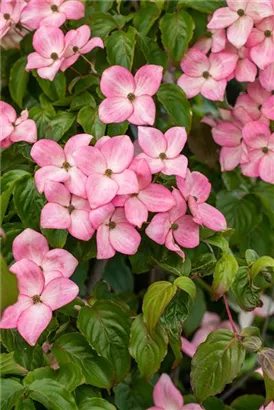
{"x": 88, "y": 118}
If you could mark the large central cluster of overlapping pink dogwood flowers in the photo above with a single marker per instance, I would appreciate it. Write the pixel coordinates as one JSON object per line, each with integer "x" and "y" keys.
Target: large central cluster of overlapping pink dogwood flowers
{"x": 104, "y": 188}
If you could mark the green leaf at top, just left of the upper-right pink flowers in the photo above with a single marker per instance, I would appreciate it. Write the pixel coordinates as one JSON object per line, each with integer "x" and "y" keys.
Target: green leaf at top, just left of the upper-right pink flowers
{"x": 177, "y": 31}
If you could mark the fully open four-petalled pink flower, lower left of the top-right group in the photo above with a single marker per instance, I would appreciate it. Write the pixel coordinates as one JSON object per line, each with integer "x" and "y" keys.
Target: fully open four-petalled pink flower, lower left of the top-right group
{"x": 206, "y": 75}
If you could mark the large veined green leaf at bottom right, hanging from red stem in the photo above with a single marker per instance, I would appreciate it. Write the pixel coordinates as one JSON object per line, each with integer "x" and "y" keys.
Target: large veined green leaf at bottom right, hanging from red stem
{"x": 216, "y": 363}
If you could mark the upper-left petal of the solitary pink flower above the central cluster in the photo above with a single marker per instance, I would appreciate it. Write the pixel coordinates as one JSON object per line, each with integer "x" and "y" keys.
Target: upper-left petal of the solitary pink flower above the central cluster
{"x": 117, "y": 81}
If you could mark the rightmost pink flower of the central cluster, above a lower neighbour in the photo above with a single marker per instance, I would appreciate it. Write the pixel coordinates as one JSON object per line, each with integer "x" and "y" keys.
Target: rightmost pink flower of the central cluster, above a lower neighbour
{"x": 196, "y": 188}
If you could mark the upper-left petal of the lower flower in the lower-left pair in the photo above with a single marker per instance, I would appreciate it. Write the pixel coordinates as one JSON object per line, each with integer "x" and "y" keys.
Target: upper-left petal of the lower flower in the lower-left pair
{"x": 30, "y": 278}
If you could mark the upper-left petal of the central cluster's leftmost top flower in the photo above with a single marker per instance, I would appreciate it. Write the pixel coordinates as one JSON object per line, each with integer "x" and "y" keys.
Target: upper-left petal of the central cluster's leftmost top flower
{"x": 47, "y": 152}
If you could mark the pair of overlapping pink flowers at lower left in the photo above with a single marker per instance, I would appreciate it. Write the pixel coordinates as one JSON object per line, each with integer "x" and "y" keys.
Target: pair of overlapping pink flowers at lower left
{"x": 42, "y": 277}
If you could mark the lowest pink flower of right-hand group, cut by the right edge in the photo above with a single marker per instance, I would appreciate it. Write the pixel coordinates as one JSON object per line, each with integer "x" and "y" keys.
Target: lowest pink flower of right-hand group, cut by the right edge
{"x": 260, "y": 144}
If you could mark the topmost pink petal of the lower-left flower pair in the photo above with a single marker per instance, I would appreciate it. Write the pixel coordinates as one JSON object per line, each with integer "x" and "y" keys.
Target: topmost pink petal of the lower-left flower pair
{"x": 30, "y": 245}
